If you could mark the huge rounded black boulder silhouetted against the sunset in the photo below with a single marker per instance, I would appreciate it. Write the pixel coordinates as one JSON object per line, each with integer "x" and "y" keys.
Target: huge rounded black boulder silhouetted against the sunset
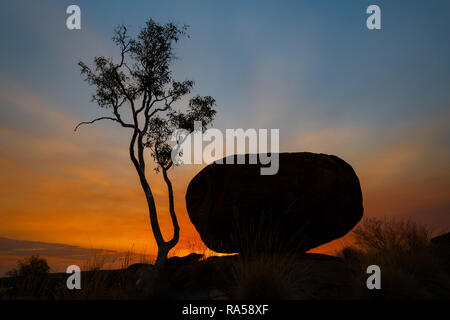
{"x": 313, "y": 199}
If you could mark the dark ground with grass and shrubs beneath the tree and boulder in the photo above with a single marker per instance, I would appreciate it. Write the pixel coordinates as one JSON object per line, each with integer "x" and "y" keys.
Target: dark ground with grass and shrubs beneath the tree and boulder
{"x": 412, "y": 267}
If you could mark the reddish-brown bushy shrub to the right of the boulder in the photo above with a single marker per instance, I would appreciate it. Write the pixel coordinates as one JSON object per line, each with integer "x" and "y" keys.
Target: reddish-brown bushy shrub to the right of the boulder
{"x": 410, "y": 267}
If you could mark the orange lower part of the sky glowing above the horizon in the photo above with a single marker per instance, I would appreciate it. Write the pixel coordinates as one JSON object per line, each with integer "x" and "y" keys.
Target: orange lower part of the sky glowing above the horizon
{"x": 81, "y": 189}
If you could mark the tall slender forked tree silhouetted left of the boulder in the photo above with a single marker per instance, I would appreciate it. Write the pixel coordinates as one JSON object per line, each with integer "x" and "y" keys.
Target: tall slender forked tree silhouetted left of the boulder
{"x": 141, "y": 87}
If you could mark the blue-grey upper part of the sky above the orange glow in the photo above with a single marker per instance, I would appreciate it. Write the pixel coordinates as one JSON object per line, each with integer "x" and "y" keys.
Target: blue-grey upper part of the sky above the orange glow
{"x": 314, "y": 56}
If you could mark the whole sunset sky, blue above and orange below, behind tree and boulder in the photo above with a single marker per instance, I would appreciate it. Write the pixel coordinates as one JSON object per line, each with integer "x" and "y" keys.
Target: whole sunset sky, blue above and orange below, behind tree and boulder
{"x": 378, "y": 99}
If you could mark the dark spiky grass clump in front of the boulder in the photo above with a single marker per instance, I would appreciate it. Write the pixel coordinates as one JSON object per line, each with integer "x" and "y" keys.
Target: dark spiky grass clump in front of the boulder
{"x": 264, "y": 269}
